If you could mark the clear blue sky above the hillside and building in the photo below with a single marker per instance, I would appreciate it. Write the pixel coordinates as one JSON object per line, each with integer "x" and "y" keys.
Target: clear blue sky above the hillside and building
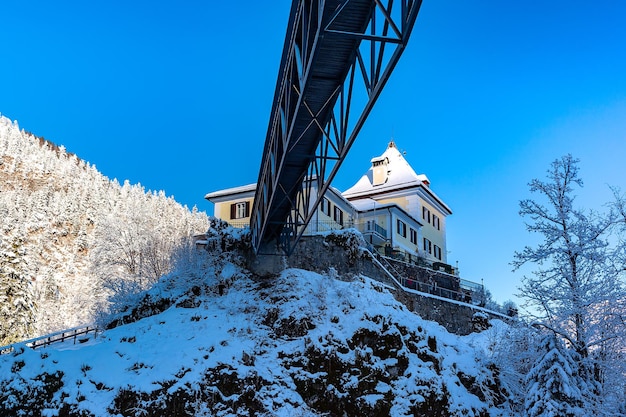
{"x": 177, "y": 97}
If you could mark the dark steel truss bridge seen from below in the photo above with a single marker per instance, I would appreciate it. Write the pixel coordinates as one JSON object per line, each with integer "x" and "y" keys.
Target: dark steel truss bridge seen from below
{"x": 337, "y": 58}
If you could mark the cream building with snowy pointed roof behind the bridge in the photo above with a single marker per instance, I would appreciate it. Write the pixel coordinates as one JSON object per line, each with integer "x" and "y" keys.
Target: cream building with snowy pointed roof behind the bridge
{"x": 392, "y": 206}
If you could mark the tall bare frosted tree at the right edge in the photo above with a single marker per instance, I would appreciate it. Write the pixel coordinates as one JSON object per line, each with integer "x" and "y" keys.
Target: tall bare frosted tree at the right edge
{"x": 575, "y": 291}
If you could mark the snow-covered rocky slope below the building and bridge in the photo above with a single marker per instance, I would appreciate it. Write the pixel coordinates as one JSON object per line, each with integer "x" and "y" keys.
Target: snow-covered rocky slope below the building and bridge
{"x": 213, "y": 340}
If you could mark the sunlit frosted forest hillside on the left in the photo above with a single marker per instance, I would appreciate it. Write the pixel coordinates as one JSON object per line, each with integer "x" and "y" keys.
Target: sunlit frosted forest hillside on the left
{"x": 73, "y": 241}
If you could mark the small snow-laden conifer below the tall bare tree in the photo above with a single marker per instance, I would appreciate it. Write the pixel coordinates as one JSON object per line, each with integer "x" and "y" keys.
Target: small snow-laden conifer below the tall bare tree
{"x": 554, "y": 387}
